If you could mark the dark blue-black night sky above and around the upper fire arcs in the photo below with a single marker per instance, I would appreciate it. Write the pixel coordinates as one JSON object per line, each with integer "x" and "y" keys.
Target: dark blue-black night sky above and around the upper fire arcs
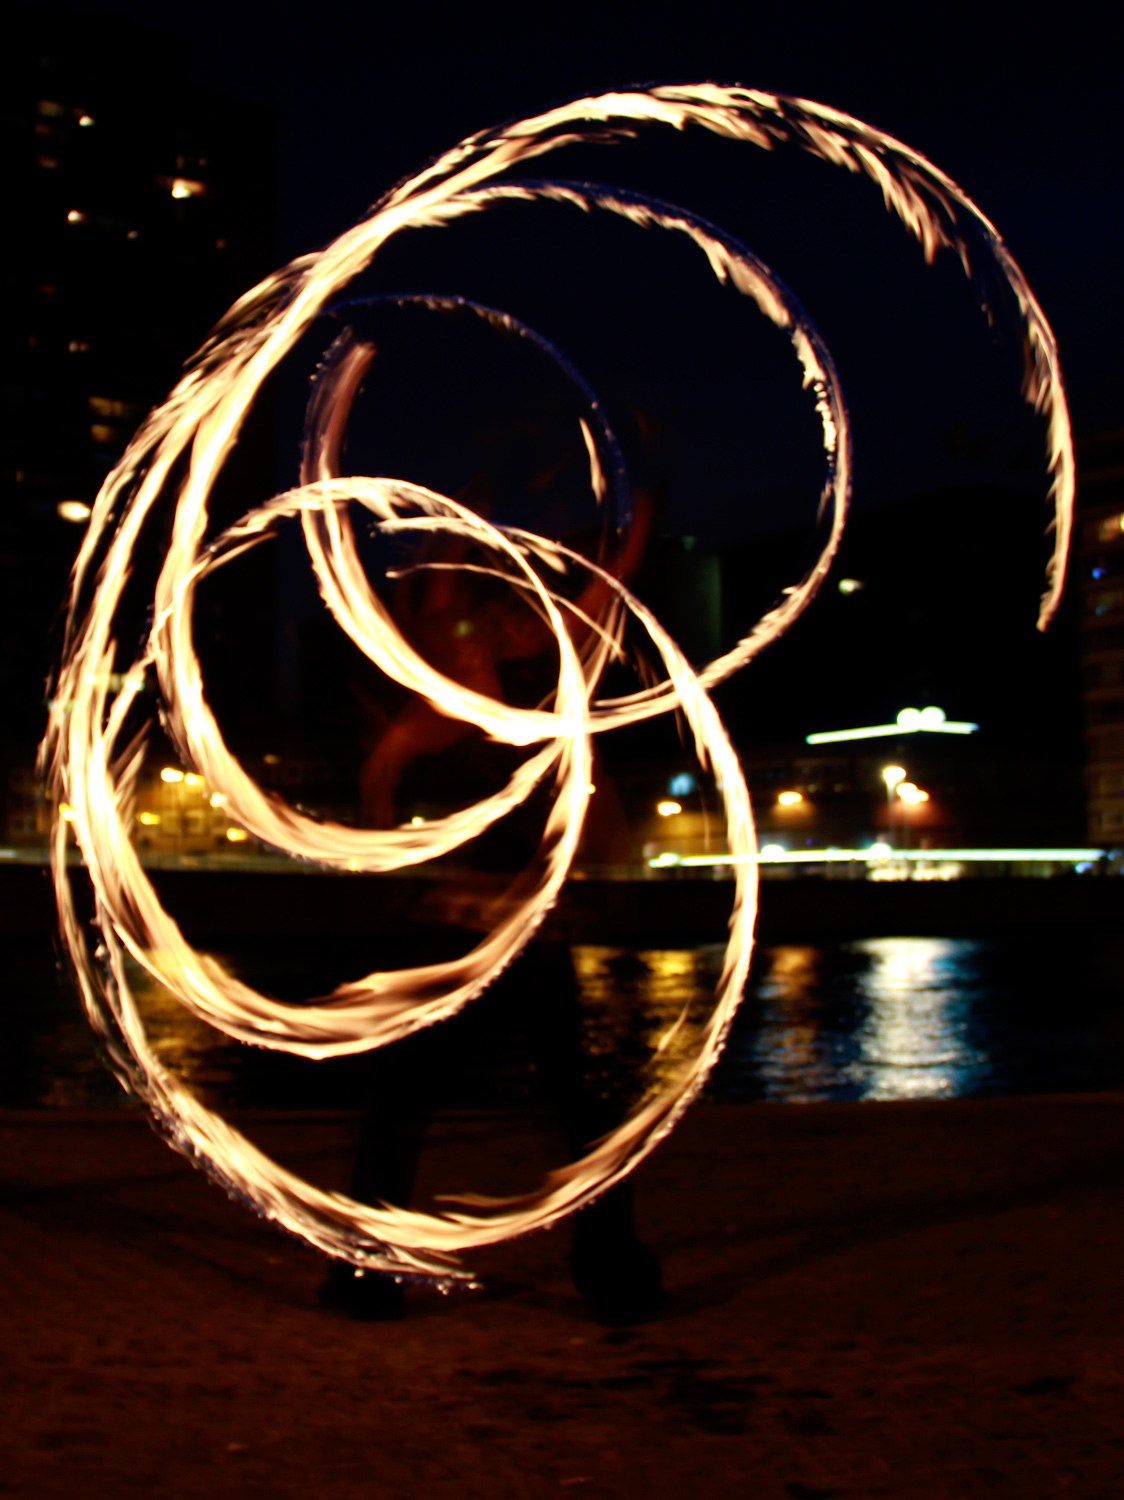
{"x": 1026, "y": 118}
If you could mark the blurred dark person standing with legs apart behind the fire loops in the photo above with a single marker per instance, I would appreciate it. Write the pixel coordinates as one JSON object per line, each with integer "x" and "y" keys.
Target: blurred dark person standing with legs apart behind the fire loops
{"x": 481, "y": 634}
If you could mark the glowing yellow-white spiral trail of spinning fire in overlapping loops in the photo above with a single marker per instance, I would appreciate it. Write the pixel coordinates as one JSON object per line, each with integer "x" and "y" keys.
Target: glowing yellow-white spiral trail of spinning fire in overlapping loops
{"x": 182, "y": 449}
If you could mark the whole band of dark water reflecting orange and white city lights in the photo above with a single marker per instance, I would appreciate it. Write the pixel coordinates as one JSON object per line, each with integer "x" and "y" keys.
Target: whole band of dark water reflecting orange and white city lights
{"x": 871, "y": 1019}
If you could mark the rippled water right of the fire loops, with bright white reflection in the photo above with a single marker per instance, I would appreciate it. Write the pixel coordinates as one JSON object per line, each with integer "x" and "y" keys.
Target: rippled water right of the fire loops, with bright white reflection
{"x": 928, "y": 1018}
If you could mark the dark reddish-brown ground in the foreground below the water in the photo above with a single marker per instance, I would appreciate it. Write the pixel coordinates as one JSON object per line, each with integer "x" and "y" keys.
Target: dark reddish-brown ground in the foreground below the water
{"x": 904, "y": 1300}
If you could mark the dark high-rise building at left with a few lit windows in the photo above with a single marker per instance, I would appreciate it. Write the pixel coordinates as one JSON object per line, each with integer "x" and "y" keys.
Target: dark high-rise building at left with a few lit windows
{"x": 139, "y": 209}
